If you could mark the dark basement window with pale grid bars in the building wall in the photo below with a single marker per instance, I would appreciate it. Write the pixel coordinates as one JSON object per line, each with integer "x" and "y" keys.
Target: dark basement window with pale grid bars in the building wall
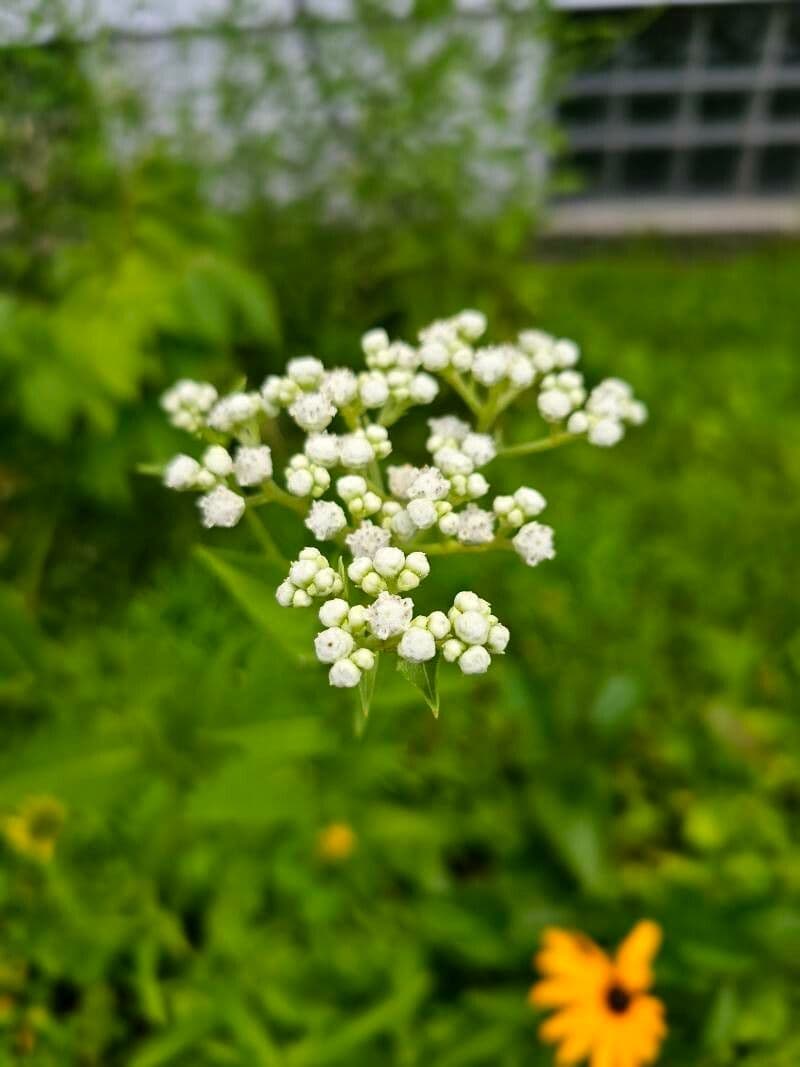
{"x": 733, "y": 128}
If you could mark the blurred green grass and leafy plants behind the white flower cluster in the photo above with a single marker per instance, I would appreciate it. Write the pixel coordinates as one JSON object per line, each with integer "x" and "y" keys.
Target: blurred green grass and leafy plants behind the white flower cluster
{"x": 635, "y": 755}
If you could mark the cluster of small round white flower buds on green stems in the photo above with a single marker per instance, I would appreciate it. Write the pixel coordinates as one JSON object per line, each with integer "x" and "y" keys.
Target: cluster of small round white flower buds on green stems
{"x": 387, "y": 522}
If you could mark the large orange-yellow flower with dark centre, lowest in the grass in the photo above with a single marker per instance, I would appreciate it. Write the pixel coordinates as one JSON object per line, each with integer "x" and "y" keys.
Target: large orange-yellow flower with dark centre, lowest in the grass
{"x": 604, "y": 1011}
